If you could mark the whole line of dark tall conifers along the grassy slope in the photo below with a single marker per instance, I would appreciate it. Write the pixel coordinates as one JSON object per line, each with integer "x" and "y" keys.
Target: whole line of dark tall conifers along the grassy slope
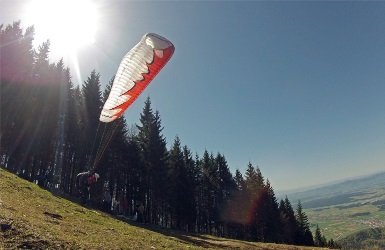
{"x": 51, "y": 128}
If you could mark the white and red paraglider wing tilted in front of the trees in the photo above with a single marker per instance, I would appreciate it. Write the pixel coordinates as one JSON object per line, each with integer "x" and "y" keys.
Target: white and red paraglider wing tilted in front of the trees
{"x": 136, "y": 70}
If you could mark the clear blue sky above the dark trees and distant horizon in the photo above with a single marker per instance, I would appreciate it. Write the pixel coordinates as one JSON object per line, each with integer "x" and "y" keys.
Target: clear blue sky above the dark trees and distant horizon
{"x": 296, "y": 88}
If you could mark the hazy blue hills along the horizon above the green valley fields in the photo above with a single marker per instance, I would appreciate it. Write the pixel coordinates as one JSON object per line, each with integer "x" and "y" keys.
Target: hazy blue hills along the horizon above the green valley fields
{"x": 337, "y": 193}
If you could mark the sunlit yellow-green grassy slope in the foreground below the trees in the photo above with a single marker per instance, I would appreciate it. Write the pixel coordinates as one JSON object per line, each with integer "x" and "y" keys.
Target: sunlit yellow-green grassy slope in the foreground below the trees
{"x": 33, "y": 218}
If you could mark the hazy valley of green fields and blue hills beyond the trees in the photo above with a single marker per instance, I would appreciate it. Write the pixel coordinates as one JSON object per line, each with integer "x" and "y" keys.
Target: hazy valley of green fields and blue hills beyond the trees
{"x": 343, "y": 208}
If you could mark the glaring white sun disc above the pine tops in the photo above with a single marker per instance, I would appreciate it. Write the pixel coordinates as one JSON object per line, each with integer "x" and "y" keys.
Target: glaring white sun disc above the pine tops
{"x": 68, "y": 24}
